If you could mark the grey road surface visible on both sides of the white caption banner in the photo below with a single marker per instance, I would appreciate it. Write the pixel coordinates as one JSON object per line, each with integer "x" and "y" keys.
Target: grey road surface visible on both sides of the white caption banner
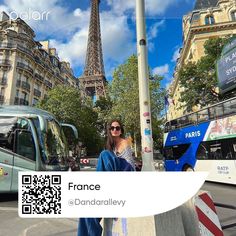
{"x": 12, "y": 225}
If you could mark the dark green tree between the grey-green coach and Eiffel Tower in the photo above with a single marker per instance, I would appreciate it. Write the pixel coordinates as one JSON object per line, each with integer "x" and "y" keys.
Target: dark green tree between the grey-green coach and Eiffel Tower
{"x": 66, "y": 104}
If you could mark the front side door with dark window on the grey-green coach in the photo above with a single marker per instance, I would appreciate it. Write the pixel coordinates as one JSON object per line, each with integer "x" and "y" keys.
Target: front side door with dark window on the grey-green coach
{"x": 24, "y": 150}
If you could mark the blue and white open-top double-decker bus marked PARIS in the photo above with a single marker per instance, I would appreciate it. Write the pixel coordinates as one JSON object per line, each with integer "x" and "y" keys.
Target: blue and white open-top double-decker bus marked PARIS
{"x": 204, "y": 141}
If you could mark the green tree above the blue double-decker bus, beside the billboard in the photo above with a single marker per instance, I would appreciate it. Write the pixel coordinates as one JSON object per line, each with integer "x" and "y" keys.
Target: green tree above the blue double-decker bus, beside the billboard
{"x": 199, "y": 78}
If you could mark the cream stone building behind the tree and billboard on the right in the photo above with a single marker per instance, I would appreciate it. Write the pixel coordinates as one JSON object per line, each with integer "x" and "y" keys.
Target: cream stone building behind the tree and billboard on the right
{"x": 208, "y": 19}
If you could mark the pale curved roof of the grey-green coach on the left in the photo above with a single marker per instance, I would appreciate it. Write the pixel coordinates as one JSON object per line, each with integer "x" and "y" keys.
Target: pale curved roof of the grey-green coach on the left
{"x": 24, "y": 110}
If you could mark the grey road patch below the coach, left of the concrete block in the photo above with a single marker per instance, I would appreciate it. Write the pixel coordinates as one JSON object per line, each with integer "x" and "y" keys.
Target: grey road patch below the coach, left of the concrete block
{"x": 12, "y": 225}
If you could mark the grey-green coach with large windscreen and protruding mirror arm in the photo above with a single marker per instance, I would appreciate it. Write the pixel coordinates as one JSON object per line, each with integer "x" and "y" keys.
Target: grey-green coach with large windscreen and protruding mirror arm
{"x": 30, "y": 139}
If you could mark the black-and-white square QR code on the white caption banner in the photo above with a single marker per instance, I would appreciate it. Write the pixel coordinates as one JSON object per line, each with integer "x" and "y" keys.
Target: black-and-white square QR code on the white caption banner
{"x": 41, "y": 194}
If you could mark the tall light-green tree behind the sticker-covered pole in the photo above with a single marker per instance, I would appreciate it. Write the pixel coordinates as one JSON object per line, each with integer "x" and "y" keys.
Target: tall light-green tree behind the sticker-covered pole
{"x": 124, "y": 94}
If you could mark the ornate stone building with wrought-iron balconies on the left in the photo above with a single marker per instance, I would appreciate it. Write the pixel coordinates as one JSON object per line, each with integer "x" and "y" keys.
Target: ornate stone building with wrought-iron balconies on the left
{"x": 28, "y": 68}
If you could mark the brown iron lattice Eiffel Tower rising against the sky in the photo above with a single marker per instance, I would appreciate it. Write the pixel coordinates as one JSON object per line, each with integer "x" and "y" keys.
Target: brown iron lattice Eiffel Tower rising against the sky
{"x": 93, "y": 80}
